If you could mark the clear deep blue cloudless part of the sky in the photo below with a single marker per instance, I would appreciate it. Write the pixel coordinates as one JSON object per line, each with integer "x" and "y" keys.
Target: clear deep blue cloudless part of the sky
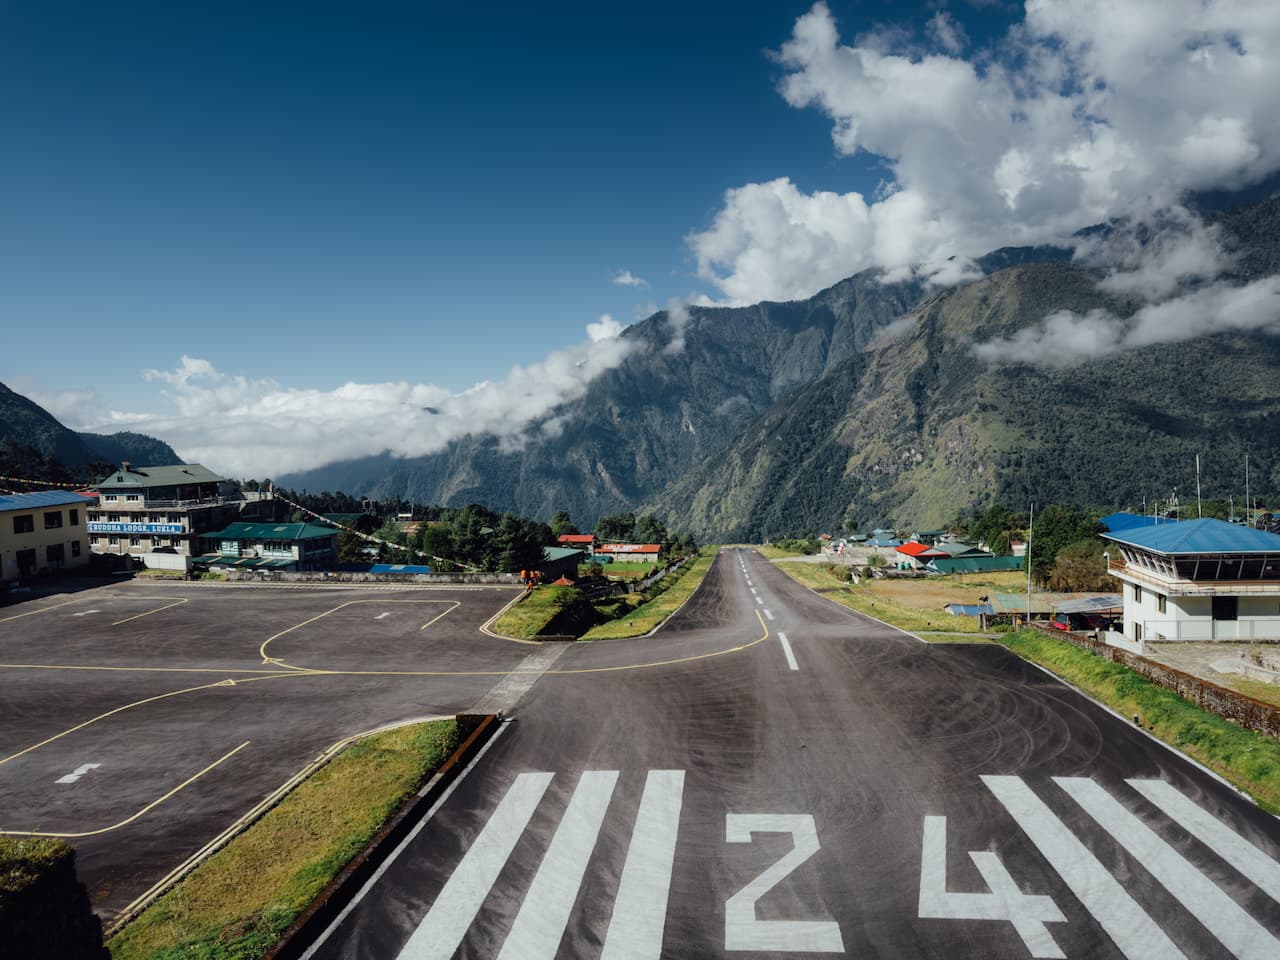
{"x": 330, "y": 193}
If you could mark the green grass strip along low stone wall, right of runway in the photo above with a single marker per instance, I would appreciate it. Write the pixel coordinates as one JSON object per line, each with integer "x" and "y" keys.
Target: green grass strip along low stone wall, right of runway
{"x": 1251, "y": 761}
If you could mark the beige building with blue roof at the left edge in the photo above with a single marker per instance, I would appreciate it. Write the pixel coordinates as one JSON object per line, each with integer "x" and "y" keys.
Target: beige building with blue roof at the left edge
{"x": 43, "y": 533}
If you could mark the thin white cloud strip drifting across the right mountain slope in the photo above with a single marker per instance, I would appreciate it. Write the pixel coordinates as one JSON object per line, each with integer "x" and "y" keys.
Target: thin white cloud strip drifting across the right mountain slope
{"x": 1066, "y": 339}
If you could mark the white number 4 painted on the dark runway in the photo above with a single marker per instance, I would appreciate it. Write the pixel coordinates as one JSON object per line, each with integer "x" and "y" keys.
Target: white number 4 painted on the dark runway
{"x": 1027, "y": 912}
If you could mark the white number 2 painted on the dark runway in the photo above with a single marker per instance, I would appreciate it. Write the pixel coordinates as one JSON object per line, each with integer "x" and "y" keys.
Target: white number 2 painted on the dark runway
{"x": 743, "y": 931}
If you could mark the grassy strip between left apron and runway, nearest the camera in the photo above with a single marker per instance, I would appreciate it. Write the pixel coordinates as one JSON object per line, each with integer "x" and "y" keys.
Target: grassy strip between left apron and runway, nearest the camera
{"x": 237, "y": 904}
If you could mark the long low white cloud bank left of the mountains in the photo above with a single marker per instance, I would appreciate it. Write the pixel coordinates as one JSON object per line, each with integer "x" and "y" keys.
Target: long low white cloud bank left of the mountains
{"x": 245, "y": 428}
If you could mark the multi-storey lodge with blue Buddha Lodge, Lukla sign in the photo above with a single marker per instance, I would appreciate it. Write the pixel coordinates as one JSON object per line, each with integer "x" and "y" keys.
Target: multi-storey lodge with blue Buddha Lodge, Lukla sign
{"x": 167, "y": 509}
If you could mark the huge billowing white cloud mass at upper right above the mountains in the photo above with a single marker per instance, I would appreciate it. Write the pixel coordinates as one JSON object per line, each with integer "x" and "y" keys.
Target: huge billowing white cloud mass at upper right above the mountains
{"x": 1086, "y": 111}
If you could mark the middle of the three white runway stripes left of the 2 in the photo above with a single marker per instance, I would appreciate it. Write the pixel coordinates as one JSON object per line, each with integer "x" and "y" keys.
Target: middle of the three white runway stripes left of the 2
{"x": 541, "y": 924}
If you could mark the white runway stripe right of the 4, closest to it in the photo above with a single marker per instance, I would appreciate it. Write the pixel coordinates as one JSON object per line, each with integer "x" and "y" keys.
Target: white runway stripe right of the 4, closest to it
{"x": 1133, "y": 931}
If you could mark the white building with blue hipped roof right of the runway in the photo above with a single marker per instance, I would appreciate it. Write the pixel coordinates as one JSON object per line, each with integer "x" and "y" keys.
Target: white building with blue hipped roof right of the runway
{"x": 1197, "y": 580}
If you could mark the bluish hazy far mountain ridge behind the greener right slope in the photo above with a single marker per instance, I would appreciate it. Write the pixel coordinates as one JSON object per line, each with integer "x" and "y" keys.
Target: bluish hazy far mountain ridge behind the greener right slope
{"x": 646, "y": 423}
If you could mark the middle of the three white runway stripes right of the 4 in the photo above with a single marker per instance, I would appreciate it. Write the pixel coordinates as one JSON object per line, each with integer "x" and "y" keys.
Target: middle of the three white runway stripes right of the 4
{"x": 1209, "y": 904}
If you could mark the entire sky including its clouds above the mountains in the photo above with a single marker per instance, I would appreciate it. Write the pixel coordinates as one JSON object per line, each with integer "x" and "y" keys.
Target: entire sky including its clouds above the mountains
{"x": 330, "y": 205}
